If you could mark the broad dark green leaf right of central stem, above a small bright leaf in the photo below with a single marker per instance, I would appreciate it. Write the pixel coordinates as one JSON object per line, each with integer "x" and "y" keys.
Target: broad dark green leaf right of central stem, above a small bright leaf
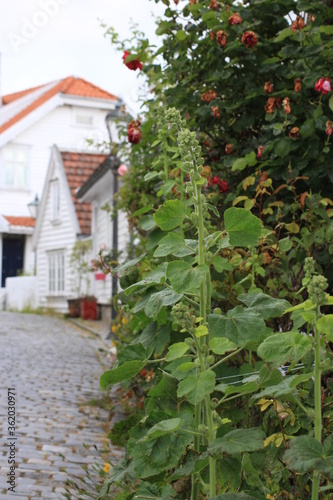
{"x": 241, "y": 326}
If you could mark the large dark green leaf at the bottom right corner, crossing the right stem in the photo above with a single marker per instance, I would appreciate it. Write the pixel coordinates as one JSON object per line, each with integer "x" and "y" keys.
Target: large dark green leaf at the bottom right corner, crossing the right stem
{"x": 306, "y": 453}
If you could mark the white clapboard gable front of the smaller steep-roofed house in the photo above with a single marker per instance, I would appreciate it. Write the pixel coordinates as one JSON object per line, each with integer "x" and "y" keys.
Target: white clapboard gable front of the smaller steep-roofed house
{"x": 54, "y": 237}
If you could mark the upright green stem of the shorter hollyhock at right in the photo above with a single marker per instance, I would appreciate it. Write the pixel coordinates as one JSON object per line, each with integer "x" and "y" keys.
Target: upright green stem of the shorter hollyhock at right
{"x": 317, "y": 421}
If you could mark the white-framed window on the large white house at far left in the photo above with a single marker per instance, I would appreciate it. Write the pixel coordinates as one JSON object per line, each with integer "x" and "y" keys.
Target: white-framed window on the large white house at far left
{"x": 15, "y": 159}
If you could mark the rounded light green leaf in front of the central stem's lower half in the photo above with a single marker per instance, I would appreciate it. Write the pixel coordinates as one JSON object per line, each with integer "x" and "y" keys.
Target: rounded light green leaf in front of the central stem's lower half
{"x": 196, "y": 388}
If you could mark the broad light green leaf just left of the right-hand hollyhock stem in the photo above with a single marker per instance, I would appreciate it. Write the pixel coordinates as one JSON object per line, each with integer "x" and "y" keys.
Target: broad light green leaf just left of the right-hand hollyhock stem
{"x": 284, "y": 347}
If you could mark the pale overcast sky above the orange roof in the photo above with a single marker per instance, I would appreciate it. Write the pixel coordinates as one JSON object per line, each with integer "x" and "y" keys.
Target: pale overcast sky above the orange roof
{"x": 46, "y": 40}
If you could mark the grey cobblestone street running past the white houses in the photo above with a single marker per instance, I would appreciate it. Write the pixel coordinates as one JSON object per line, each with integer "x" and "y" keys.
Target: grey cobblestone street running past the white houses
{"x": 54, "y": 368}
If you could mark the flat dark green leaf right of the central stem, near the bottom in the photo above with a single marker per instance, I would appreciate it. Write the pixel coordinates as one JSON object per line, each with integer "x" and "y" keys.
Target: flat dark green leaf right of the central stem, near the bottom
{"x": 239, "y": 441}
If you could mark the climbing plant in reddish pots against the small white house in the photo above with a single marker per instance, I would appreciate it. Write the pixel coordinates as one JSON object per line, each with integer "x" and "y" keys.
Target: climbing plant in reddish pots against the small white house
{"x": 83, "y": 304}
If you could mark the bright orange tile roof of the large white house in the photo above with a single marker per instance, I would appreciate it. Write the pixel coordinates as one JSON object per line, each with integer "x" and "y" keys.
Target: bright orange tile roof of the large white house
{"x": 67, "y": 86}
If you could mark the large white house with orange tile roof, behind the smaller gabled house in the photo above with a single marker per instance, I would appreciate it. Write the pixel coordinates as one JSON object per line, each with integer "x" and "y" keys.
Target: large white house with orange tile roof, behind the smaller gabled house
{"x": 66, "y": 113}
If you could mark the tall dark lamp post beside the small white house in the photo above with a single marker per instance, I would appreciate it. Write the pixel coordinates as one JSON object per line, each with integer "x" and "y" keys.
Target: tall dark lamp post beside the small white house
{"x": 114, "y": 165}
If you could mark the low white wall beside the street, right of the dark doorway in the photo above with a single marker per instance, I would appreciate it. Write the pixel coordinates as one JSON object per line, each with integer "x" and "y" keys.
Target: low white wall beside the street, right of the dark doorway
{"x": 21, "y": 293}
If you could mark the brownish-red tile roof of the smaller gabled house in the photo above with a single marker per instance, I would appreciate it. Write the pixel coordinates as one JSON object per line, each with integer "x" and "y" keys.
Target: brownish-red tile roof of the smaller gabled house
{"x": 78, "y": 168}
